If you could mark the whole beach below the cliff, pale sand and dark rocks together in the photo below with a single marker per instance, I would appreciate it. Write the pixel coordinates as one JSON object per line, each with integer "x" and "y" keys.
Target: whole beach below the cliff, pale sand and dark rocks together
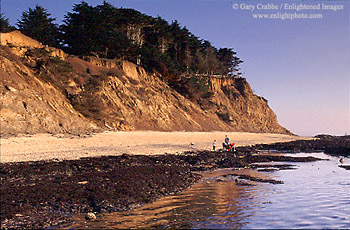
{"x": 47, "y": 193}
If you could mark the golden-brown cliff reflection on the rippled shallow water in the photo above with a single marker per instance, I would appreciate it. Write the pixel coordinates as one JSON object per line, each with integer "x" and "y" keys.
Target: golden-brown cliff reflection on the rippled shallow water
{"x": 214, "y": 202}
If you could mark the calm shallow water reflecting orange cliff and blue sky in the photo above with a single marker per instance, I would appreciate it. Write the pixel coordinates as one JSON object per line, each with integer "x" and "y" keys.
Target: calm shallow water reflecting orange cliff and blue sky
{"x": 314, "y": 195}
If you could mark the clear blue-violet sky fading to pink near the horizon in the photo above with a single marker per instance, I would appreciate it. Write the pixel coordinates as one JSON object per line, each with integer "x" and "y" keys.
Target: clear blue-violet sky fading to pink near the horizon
{"x": 300, "y": 65}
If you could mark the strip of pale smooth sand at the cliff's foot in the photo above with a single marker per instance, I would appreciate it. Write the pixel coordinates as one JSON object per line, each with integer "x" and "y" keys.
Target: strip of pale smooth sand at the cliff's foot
{"x": 61, "y": 147}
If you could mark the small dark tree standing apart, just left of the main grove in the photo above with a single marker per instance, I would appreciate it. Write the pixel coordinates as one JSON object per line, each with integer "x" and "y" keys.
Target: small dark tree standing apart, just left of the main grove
{"x": 37, "y": 24}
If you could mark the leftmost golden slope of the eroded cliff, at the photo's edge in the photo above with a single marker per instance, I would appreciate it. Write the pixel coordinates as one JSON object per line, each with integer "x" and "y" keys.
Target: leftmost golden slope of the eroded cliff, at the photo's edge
{"x": 29, "y": 105}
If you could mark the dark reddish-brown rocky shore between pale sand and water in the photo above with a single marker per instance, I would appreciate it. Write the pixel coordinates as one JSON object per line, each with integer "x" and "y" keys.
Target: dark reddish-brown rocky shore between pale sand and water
{"x": 43, "y": 194}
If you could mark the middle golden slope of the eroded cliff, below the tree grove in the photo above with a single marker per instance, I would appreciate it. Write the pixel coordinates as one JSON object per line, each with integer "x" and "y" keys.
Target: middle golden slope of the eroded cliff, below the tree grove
{"x": 135, "y": 100}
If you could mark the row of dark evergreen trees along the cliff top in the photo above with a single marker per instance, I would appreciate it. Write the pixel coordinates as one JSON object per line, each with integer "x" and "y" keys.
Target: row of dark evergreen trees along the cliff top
{"x": 109, "y": 32}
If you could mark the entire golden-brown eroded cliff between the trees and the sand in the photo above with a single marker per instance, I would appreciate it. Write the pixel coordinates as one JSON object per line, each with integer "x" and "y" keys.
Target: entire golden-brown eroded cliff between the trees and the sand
{"x": 45, "y": 92}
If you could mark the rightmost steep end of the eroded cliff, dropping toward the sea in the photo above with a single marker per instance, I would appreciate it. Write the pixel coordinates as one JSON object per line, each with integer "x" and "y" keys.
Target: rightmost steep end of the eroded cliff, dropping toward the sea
{"x": 236, "y": 104}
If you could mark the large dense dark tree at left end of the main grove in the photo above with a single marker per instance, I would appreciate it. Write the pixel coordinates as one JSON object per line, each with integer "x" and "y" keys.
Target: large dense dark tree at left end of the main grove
{"x": 98, "y": 30}
